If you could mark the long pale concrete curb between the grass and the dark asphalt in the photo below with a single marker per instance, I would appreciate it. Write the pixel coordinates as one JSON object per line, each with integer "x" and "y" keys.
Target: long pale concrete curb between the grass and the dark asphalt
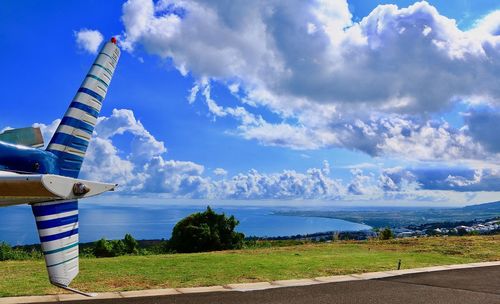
{"x": 241, "y": 287}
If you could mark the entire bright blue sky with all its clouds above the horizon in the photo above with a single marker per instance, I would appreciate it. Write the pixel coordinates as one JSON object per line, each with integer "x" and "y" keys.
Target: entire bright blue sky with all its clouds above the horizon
{"x": 320, "y": 100}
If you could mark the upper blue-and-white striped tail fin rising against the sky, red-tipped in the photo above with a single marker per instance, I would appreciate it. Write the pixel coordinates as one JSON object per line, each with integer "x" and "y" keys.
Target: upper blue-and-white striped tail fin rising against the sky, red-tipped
{"x": 72, "y": 137}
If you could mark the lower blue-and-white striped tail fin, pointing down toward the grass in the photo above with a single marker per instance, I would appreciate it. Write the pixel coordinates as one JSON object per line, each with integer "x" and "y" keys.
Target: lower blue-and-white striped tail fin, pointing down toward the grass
{"x": 57, "y": 224}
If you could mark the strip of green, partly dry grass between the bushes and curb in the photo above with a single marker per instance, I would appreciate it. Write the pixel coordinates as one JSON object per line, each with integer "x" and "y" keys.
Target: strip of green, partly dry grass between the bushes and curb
{"x": 250, "y": 265}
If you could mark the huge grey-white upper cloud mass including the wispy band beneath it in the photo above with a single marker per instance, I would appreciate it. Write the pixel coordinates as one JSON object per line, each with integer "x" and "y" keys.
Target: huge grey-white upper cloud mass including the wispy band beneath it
{"x": 357, "y": 85}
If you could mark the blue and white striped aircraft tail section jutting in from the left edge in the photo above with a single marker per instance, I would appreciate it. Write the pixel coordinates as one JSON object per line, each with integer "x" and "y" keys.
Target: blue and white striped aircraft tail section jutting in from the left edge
{"x": 48, "y": 179}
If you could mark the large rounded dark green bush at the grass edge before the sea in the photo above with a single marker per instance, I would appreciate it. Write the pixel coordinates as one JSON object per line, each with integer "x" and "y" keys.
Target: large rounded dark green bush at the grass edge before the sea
{"x": 206, "y": 231}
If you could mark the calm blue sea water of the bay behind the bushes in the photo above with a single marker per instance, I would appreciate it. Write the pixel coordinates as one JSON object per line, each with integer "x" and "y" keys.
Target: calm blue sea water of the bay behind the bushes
{"x": 17, "y": 225}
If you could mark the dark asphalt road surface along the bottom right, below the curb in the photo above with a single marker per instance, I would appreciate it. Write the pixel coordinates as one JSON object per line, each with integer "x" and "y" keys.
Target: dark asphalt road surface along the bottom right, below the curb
{"x": 473, "y": 285}
